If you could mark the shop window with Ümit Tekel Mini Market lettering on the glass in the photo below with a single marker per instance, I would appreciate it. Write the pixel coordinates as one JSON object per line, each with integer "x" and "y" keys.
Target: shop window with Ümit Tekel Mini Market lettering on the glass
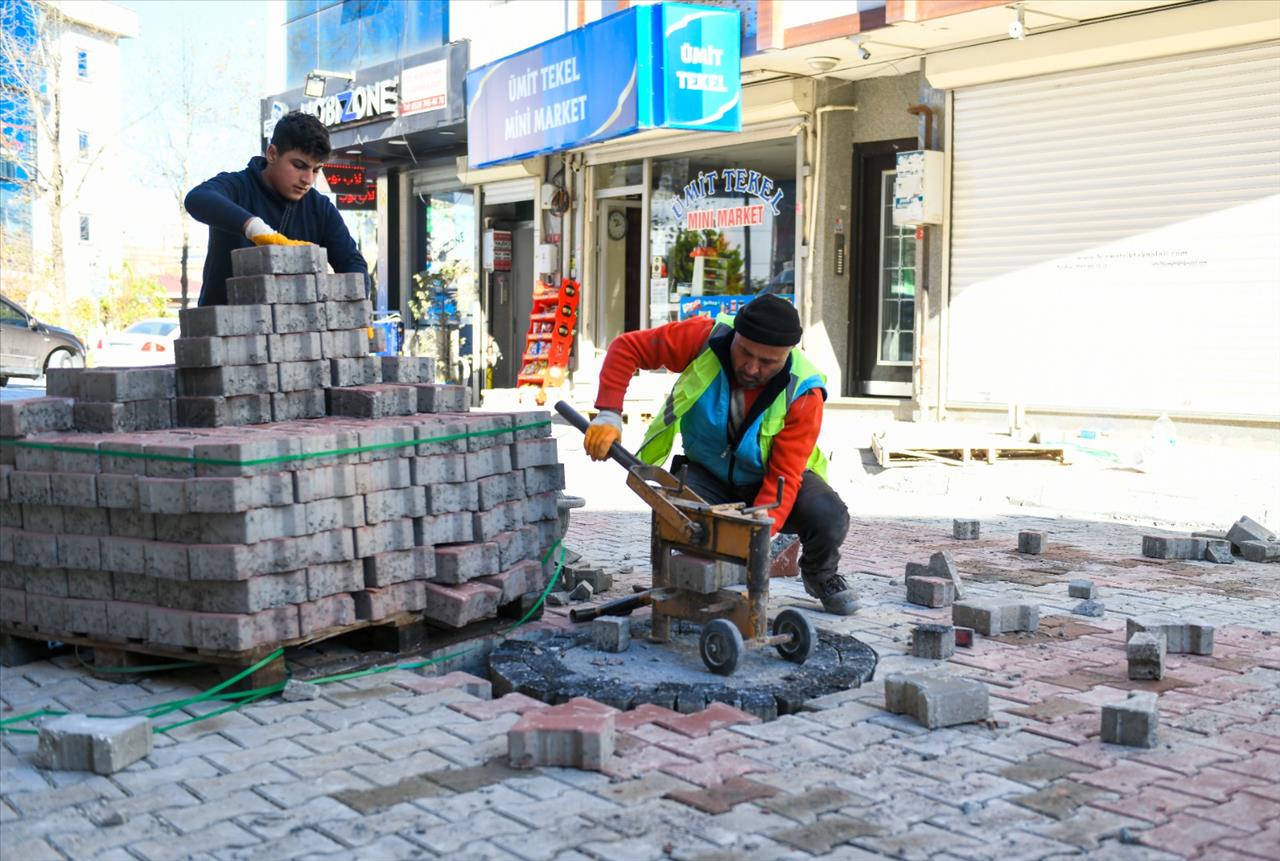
{"x": 723, "y": 230}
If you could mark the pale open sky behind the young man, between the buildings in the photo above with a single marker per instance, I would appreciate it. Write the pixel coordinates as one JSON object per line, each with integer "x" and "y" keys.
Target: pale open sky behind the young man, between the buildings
{"x": 221, "y": 48}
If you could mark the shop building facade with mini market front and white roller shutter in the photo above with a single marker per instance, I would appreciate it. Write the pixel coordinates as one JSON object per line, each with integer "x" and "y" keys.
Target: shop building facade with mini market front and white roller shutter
{"x": 1059, "y": 205}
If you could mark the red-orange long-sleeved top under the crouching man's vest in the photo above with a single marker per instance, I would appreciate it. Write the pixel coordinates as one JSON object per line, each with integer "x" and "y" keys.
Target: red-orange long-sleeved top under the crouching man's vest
{"x": 674, "y": 347}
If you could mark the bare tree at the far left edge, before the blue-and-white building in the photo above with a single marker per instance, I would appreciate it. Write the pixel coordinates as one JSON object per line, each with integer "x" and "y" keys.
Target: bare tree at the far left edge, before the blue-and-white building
{"x": 31, "y": 72}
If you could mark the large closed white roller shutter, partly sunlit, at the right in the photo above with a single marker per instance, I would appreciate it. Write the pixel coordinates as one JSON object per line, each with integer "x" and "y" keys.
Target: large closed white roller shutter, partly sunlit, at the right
{"x": 1116, "y": 239}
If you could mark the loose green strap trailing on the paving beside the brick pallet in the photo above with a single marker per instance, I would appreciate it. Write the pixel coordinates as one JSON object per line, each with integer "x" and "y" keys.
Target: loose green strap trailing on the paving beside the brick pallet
{"x": 246, "y": 698}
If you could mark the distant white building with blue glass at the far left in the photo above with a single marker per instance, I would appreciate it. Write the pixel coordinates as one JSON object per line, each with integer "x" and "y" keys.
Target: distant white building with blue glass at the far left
{"x": 61, "y": 117}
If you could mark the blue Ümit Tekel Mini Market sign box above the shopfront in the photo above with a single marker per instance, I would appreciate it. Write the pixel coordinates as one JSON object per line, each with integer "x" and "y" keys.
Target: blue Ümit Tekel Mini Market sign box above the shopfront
{"x": 668, "y": 66}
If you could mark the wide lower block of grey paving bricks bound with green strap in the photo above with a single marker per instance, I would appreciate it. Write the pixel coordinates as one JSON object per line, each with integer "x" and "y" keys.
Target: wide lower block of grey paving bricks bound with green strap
{"x": 203, "y": 538}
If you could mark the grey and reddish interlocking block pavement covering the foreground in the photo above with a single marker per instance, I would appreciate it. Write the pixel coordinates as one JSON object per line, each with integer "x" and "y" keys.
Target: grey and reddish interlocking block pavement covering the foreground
{"x": 387, "y": 767}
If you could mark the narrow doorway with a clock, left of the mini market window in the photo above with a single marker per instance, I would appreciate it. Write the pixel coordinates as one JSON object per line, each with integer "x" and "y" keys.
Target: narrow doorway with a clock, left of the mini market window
{"x": 618, "y": 306}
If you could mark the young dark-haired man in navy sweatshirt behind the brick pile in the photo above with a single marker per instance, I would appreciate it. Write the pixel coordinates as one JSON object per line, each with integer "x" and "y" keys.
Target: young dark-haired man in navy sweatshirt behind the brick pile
{"x": 272, "y": 204}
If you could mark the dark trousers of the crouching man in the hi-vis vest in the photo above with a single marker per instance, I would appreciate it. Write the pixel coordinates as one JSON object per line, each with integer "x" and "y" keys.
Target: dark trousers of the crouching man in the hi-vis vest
{"x": 819, "y": 517}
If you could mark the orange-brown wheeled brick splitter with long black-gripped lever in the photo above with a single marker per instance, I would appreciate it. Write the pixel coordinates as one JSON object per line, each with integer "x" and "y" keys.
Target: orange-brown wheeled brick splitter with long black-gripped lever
{"x": 733, "y": 533}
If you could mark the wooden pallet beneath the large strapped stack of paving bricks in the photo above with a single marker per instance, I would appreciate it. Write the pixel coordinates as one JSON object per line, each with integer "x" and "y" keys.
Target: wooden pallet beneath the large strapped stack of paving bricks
{"x": 403, "y": 633}
